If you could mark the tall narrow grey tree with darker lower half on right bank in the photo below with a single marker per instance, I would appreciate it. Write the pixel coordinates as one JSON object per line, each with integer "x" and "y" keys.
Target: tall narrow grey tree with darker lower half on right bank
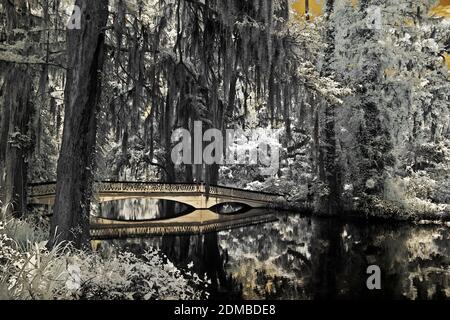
{"x": 358, "y": 63}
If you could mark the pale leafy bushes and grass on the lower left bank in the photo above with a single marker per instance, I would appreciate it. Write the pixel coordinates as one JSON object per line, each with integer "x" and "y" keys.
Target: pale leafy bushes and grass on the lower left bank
{"x": 33, "y": 272}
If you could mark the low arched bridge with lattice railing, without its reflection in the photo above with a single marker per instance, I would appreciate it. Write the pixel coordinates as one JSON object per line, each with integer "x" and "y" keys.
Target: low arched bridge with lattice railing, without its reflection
{"x": 194, "y": 195}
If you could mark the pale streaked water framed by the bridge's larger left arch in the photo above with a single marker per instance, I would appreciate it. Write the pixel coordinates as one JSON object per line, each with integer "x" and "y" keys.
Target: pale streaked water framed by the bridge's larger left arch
{"x": 141, "y": 209}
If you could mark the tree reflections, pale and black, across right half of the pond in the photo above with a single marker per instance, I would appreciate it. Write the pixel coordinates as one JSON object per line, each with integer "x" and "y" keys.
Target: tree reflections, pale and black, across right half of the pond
{"x": 303, "y": 258}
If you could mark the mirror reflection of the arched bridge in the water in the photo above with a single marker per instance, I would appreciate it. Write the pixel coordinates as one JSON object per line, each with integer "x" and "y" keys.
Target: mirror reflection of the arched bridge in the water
{"x": 197, "y": 222}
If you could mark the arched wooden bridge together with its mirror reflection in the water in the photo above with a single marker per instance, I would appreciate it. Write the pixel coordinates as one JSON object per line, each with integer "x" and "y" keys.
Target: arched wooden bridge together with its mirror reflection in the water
{"x": 201, "y": 220}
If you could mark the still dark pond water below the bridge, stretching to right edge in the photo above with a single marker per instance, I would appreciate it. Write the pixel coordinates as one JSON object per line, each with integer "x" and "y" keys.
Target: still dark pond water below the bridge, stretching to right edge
{"x": 303, "y": 257}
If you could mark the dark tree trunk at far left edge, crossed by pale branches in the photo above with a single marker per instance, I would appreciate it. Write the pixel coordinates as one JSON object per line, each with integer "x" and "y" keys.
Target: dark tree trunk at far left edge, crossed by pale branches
{"x": 15, "y": 133}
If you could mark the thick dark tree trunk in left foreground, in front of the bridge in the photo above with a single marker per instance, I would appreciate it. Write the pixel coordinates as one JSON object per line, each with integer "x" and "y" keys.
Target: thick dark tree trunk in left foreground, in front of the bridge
{"x": 85, "y": 48}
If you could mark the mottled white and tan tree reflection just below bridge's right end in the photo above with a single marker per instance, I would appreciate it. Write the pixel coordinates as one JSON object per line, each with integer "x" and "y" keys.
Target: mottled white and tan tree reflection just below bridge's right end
{"x": 271, "y": 260}
